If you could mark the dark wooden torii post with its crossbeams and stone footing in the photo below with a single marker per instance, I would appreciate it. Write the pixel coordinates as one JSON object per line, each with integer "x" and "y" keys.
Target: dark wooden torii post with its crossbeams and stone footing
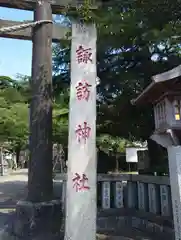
{"x": 40, "y": 184}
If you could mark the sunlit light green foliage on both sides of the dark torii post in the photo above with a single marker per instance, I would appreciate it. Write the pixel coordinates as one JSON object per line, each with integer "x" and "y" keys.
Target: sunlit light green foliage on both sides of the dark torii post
{"x": 15, "y": 96}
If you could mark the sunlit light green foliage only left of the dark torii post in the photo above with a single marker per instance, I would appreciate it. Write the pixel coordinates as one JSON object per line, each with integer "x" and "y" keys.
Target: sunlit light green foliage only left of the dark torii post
{"x": 13, "y": 113}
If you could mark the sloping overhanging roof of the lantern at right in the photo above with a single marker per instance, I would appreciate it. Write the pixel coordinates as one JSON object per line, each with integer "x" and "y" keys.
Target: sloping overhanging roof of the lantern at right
{"x": 167, "y": 83}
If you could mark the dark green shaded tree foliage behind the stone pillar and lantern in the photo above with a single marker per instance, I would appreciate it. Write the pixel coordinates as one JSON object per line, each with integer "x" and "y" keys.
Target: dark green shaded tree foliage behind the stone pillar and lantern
{"x": 136, "y": 40}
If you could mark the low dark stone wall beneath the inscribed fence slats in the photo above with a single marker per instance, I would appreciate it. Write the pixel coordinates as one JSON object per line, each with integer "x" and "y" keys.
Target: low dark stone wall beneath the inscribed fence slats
{"x": 114, "y": 221}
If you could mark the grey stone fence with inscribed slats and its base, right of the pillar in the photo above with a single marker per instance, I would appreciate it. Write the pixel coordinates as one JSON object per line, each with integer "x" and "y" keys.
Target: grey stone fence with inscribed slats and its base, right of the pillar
{"x": 140, "y": 201}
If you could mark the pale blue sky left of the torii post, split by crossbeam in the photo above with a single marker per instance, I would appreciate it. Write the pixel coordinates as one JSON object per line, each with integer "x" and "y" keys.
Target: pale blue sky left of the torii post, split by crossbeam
{"x": 15, "y": 55}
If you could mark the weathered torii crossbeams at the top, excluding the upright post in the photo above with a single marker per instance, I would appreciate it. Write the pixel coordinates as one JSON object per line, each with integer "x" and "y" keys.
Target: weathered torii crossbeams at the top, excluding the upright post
{"x": 59, "y": 32}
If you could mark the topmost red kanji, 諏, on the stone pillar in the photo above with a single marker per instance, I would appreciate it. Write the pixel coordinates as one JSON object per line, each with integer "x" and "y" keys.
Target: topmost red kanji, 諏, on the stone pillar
{"x": 84, "y": 54}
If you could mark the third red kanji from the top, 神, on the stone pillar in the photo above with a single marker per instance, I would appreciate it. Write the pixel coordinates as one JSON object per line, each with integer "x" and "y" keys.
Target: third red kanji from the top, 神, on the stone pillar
{"x": 83, "y": 132}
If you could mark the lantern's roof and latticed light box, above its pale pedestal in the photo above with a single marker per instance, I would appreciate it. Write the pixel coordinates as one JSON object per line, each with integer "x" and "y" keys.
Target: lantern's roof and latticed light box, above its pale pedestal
{"x": 165, "y": 94}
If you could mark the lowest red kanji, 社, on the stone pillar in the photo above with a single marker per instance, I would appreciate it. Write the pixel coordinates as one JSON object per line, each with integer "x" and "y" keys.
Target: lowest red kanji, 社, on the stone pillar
{"x": 79, "y": 182}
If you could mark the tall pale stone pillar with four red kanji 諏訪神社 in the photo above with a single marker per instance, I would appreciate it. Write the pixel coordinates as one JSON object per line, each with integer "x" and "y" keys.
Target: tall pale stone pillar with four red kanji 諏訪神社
{"x": 81, "y": 184}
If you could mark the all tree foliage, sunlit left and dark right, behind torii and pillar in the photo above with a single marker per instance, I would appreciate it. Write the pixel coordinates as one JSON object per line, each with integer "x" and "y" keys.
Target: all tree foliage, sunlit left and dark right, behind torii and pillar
{"x": 136, "y": 40}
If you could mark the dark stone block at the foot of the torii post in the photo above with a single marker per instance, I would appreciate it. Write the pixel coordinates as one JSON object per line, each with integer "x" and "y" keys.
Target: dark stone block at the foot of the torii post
{"x": 36, "y": 221}
